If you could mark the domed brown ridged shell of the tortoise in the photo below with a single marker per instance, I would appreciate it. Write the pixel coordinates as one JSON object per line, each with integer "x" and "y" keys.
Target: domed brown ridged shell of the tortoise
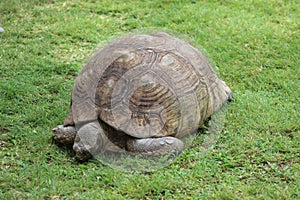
{"x": 147, "y": 86}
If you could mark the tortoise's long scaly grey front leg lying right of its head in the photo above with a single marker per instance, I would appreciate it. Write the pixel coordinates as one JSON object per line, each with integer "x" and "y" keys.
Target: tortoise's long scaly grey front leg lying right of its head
{"x": 155, "y": 146}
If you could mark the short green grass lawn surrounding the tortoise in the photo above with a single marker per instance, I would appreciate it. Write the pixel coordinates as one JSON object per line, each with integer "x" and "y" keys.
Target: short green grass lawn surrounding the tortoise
{"x": 255, "y": 44}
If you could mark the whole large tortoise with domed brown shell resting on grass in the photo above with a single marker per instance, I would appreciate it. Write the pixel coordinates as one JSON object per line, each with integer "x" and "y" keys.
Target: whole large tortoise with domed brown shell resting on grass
{"x": 141, "y": 94}
